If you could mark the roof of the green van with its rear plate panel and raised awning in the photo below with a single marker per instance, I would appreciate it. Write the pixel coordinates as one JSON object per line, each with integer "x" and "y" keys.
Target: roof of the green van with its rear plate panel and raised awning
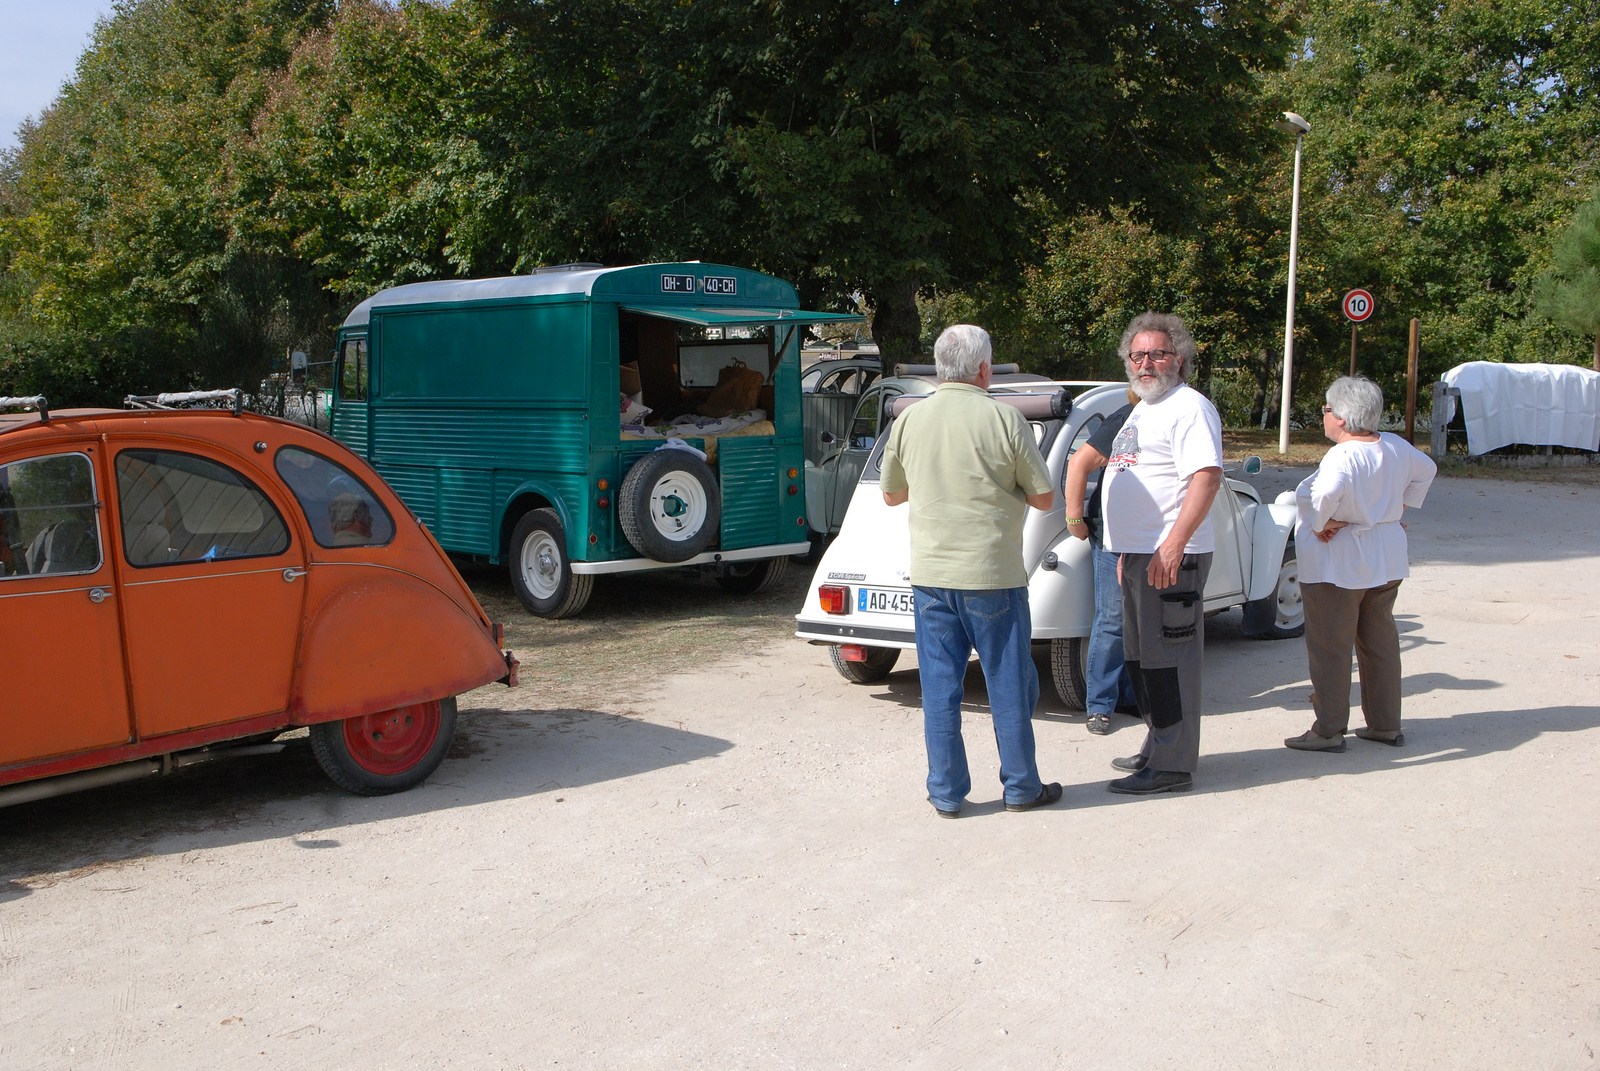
{"x": 652, "y": 289}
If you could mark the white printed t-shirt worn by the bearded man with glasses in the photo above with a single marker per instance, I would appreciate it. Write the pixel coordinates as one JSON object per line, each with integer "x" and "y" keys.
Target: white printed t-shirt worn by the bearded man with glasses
{"x": 1156, "y": 454}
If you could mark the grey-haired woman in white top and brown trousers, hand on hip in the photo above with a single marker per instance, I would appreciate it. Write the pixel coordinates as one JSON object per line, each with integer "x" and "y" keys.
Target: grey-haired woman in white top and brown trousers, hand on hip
{"x": 1353, "y": 556}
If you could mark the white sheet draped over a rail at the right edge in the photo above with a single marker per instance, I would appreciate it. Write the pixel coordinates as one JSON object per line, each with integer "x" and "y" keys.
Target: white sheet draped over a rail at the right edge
{"x": 1537, "y": 406}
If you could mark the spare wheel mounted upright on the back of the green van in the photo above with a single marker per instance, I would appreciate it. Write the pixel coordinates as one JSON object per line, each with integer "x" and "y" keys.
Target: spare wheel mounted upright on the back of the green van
{"x": 670, "y": 507}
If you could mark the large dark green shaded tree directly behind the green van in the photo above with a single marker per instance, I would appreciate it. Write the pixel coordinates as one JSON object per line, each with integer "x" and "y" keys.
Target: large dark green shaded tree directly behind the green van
{"x": 876, "y": 148}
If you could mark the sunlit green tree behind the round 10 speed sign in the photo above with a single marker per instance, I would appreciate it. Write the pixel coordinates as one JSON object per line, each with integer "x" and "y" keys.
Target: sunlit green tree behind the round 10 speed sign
{"x": 1449, "y": 142}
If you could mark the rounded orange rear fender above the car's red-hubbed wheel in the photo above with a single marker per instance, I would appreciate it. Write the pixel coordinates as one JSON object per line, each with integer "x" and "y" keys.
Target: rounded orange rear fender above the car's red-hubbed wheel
{"x": 378, "y": 640}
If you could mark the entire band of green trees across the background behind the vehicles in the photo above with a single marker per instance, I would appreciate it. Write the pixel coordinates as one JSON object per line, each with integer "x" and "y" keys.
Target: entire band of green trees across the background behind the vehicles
{"x": 223, "y": 178}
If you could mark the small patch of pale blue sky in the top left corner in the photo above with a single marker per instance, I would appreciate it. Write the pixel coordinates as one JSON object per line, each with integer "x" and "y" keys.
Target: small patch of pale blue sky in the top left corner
{"x": 41, "y": 42}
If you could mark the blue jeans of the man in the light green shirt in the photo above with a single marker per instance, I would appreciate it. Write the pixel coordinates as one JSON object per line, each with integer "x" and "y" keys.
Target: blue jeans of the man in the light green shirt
{"x": 951, "y": 625}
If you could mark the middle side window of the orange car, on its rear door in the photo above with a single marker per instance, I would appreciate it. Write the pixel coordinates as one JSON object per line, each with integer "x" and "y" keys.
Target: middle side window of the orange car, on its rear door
{"x": 183, "y": 508}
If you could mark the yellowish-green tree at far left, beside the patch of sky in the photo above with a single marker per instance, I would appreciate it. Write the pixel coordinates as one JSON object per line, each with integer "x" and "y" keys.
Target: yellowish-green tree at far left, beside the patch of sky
{"x": 116, "y": 230}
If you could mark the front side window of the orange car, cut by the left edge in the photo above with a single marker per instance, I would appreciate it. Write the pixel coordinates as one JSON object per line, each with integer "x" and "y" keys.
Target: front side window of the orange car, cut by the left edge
{"x": 49, "y": 523}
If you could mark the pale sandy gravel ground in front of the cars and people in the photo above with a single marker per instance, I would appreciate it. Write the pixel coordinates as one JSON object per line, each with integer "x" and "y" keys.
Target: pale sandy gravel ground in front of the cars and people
{"x": 724, "y": 860}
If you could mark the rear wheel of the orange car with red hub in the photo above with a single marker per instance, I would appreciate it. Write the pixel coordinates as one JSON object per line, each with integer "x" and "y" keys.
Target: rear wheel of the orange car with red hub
{"x": 385, "y": 753}
